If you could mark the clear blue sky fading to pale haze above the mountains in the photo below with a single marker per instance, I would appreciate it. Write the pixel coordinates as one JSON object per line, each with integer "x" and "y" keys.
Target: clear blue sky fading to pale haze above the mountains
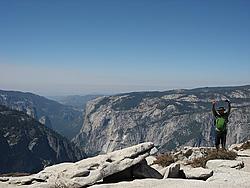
{"x": 58, "y": 47}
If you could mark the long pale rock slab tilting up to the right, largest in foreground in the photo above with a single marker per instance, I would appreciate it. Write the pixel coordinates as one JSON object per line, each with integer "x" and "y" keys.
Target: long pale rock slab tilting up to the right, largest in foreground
{"x": 88, "y": 171}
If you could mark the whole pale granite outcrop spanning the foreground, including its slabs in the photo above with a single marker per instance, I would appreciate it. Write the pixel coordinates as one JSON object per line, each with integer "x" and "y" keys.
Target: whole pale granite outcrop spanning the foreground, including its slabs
{"x": 116, "y": 168}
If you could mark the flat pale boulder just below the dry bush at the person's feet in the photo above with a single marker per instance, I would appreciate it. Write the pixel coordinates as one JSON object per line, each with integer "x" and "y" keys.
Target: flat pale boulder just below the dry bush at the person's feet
{"x": 219, "y": 164}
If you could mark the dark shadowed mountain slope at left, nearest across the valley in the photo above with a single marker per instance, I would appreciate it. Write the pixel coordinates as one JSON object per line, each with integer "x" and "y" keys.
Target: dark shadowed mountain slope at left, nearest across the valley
{"x": 28, "y": 146}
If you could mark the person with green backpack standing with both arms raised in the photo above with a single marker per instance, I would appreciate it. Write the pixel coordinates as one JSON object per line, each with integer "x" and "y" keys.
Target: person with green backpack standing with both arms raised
{"x": 221, "y": 120}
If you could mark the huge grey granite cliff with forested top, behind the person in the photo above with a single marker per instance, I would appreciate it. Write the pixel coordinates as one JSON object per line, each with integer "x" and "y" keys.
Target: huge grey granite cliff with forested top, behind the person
{"x": 169, "y": 119}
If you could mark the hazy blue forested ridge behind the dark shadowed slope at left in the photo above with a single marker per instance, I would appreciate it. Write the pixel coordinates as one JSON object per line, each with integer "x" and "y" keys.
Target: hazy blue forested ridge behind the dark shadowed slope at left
{"x": 64, "y": 119}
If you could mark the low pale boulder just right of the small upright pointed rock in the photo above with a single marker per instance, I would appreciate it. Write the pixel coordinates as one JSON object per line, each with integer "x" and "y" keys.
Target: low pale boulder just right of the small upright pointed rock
{"x": 197, "y": 173}
